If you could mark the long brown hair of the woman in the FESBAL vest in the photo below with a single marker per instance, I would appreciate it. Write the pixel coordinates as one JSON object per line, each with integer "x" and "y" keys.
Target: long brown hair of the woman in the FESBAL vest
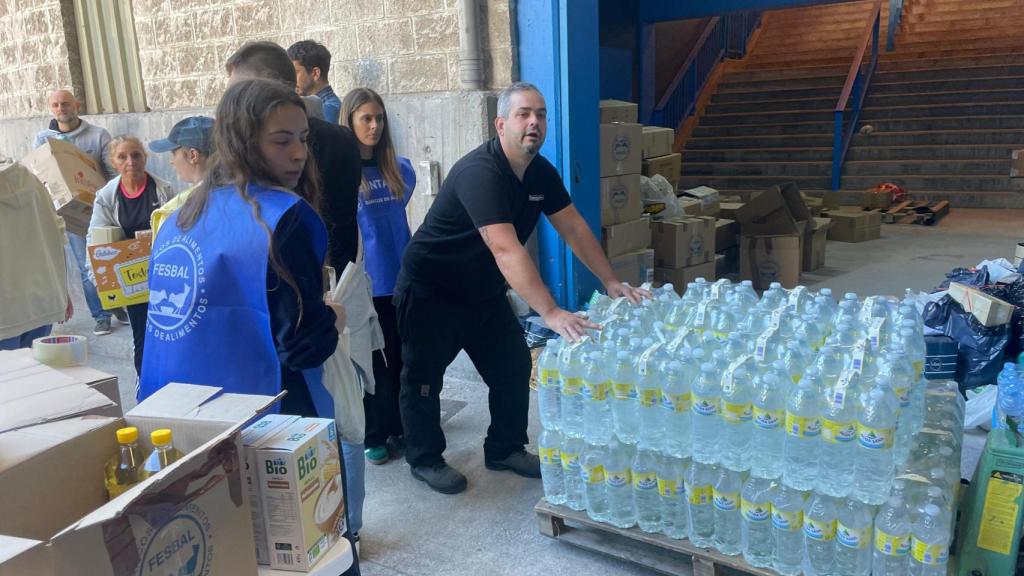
{"x": 237, "y": 159}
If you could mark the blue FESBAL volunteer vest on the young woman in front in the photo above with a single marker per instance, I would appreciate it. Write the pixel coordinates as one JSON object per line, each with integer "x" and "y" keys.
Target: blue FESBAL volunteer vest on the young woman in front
{"x": 208, "y": 321}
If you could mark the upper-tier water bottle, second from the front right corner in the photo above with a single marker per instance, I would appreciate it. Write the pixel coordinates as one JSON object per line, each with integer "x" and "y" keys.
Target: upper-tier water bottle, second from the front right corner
{"x": 839, "y": 430}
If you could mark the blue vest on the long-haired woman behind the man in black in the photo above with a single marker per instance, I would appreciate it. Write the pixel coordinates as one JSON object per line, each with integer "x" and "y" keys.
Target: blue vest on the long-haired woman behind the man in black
{"x": 383, "y": 225}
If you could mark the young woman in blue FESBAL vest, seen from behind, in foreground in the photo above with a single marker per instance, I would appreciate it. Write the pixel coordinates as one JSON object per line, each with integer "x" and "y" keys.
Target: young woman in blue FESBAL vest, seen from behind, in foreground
{"x": 236, "y": 282}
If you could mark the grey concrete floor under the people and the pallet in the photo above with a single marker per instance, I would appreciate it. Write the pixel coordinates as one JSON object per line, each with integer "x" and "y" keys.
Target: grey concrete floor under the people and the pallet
{"x": 491, "y": 529}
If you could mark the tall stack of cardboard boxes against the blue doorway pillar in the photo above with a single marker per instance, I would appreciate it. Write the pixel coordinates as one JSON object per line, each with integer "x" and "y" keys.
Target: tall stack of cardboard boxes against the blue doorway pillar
{"x": 626, "y": 232}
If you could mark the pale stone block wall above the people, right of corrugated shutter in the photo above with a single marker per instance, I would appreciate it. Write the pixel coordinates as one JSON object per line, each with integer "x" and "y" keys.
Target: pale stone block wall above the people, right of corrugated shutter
{"x": 394, "y": 47}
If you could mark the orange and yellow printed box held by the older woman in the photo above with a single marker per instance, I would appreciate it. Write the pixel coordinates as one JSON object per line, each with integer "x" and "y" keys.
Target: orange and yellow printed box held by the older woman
{"x": 122, "y": 272}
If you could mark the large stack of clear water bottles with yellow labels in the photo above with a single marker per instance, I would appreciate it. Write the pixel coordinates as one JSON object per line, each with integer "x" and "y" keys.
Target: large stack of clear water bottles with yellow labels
{"x": 775, "y": 428}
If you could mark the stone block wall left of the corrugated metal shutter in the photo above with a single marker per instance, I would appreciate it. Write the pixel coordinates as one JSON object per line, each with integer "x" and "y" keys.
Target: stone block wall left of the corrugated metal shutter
{"x": 34, "y": 55}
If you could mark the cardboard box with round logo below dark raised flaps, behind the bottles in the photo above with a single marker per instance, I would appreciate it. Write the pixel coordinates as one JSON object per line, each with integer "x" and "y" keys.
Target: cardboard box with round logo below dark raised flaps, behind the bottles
{"x": 764, "y": 260}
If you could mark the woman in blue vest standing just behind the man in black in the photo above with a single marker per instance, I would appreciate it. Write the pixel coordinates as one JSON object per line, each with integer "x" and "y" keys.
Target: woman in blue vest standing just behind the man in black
{"x": 389, "y": 182}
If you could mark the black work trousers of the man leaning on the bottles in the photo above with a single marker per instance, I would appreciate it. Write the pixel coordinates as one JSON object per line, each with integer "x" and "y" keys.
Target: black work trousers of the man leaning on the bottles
{"x": 434, "y": 331}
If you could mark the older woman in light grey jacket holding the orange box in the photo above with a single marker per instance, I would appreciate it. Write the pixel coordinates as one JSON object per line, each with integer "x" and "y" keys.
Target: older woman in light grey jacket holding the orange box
{"x": 127, "y": 202}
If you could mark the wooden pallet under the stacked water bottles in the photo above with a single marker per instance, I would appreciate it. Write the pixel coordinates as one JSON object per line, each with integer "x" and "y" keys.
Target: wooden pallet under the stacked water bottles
{"x": 659, "y": 553}
